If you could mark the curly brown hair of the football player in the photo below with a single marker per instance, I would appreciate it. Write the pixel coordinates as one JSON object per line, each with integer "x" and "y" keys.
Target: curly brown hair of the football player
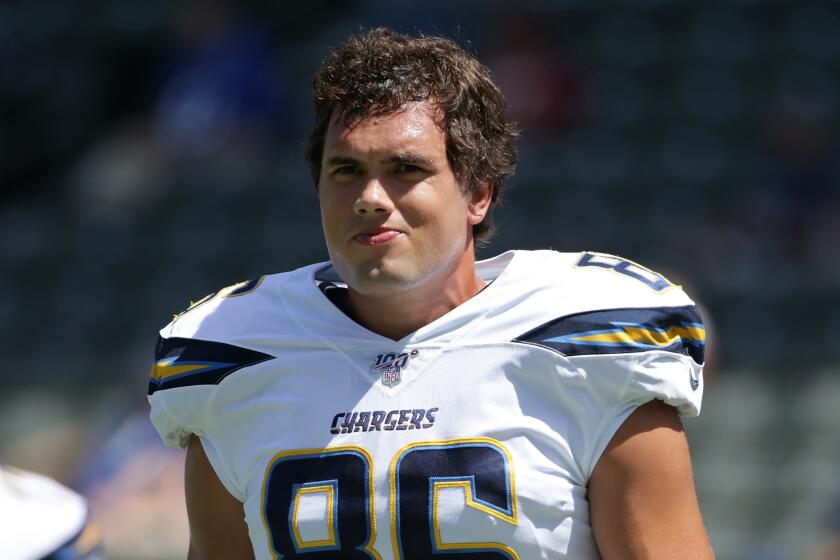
{"x": 378, "y": 72}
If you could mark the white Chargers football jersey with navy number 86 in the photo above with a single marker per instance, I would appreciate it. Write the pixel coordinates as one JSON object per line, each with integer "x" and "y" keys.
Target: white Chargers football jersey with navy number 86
{"x": 474, "y": 436}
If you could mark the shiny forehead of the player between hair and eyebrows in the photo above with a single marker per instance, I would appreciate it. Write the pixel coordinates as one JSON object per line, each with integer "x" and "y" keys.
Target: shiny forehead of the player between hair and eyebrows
{"x": 416, "y": 126}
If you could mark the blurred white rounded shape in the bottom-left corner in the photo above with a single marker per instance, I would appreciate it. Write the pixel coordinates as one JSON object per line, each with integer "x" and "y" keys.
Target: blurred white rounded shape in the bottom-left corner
{"x": 40, "y": 517}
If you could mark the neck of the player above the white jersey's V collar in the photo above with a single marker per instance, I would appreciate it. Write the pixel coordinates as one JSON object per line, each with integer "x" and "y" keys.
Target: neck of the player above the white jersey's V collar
{"x": 398, "y": 314}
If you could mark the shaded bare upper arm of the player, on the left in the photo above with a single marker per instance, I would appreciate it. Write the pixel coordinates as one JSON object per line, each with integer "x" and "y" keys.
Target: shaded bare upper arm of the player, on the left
{"x": 217, "y": 519}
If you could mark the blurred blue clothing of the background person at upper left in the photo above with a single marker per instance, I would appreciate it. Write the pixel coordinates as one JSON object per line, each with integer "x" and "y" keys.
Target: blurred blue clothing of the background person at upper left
{"x": 223, "y": 95}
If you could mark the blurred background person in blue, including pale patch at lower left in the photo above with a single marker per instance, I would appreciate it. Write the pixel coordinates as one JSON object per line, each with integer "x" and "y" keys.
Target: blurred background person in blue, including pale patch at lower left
{"x": 218, "y": 99}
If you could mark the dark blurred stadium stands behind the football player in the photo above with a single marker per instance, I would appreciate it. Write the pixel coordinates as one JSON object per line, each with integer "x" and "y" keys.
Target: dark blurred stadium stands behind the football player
{"x": 151, "y": 152}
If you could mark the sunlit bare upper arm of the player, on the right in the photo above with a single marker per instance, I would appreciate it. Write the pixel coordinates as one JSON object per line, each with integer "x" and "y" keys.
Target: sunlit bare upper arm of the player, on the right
{"x": 641, "y": 494}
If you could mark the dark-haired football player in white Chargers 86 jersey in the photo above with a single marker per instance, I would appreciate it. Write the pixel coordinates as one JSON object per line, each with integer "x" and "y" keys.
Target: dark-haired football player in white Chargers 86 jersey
{"x": 404, "y": 401}
